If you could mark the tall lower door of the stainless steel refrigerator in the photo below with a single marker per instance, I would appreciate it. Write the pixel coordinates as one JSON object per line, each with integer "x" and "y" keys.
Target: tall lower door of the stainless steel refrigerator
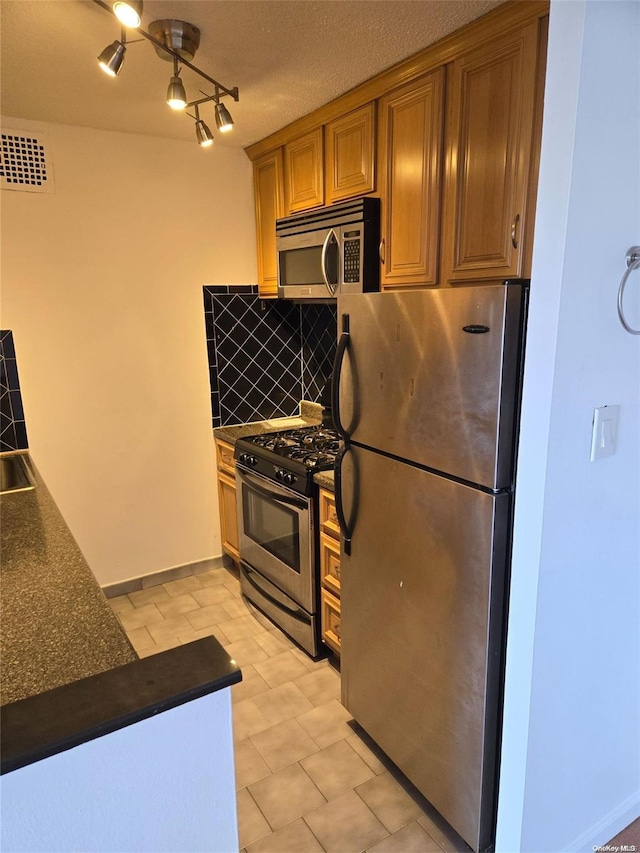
{"x": 422, "y": 618}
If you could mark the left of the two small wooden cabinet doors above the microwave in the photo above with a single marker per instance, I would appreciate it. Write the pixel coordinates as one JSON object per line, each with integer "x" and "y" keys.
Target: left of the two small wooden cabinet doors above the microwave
{"x": 303, "y": 172}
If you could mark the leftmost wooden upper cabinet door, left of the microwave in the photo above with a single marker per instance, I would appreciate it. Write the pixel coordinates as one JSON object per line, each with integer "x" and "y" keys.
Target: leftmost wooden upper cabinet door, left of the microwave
{"x": 269, "y": 200}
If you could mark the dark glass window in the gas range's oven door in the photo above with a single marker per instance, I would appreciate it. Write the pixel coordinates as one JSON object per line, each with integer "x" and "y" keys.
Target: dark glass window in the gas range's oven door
{"x": 273, "y": 526}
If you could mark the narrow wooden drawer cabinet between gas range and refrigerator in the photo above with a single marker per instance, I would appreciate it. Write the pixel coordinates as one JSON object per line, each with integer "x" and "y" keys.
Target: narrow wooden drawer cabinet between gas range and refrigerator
{"x": 330, "y": 571}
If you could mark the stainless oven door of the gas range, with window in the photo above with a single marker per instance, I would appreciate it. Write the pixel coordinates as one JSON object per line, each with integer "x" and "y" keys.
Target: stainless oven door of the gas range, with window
{"x": 275, "y": 528}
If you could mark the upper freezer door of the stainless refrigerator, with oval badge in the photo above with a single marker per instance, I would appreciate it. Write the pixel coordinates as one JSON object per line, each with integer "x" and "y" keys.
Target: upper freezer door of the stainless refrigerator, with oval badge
{"x": 431, "y": 376}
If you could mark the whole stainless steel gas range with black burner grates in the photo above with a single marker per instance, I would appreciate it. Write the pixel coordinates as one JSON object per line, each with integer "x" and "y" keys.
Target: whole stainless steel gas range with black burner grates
{"x": 277, "y": 517}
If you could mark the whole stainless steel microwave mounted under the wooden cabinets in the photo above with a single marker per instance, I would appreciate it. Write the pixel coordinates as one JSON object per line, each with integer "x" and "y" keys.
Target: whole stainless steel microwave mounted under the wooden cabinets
{"x": 329, "y": 251}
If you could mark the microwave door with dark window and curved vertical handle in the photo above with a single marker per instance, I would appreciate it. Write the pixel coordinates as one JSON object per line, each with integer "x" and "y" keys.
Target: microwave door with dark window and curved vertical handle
{"x": 309, "y": 264}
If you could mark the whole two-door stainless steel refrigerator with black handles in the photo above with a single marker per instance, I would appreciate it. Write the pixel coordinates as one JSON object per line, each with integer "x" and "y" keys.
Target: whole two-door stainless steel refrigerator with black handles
{"x": 426, "y": 395}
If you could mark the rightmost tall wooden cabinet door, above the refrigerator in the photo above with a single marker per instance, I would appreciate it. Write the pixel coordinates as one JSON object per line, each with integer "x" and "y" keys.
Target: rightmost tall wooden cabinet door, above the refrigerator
{"x": 491, "y": 120}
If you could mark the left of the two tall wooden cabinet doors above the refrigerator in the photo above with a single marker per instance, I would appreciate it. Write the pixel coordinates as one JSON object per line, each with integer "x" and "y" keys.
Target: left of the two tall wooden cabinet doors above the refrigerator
{"x": 410, "y": 153}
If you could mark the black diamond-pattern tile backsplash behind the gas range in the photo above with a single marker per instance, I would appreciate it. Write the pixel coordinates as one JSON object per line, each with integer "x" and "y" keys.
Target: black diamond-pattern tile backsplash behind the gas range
{"x": 265, "y": 356}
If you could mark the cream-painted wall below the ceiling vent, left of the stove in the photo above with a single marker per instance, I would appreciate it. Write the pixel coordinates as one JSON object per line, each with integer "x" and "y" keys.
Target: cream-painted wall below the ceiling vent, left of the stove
{"x": 102, "y": 286}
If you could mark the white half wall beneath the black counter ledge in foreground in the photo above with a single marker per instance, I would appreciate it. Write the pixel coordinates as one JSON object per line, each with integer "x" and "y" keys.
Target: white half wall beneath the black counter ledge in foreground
{"x": 166, "y": 783}
